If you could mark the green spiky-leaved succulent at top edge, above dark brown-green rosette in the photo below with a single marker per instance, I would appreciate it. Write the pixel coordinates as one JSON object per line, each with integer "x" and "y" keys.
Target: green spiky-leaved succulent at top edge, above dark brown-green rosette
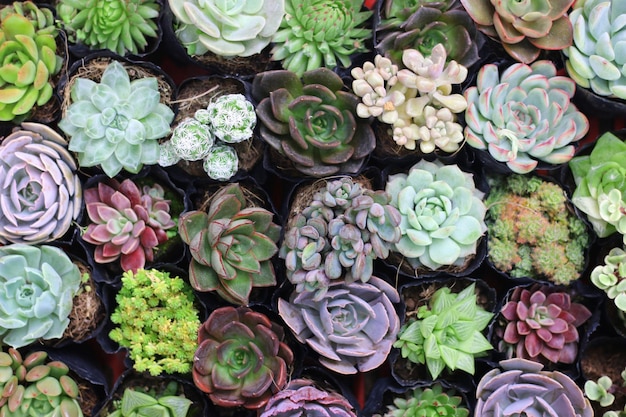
{"x": 315, "y": 33}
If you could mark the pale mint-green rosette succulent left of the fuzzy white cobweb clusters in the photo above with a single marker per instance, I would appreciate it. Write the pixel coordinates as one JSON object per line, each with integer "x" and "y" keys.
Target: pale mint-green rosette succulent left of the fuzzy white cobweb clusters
{"x": 116, "y": 123}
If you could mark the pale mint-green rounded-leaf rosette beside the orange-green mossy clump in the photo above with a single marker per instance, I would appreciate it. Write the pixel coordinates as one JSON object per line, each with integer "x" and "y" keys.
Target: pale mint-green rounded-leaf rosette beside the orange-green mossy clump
{"x": 442, "y": 214}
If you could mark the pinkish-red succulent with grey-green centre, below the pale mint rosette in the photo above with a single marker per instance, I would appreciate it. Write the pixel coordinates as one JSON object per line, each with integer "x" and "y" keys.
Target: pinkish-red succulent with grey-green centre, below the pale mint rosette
{"x": 126, "y": 222}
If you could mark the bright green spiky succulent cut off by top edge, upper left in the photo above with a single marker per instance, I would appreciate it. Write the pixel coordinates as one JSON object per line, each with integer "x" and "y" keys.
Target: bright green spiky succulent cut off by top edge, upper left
{"x": 122, "y": 26}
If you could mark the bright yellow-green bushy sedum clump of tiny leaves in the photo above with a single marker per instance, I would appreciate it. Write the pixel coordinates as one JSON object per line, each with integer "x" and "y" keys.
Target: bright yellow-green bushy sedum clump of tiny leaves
{"x": 156, "y": 321}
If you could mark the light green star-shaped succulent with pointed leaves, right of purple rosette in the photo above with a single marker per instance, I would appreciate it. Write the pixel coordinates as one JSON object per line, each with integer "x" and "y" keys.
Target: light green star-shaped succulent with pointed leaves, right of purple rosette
{"x": 446, "y": 333}
